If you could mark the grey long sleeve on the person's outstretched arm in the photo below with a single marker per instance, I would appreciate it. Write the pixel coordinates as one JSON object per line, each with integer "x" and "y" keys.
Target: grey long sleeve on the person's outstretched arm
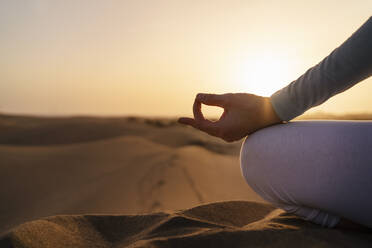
{"x": 347, "y": 65}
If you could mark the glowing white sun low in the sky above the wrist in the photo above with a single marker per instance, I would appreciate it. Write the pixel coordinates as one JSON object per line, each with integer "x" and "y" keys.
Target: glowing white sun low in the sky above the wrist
{"x": 262, "y": 74}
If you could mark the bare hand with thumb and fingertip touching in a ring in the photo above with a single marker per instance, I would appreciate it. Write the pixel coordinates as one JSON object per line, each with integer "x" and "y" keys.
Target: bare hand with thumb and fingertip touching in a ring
{"x": 243, "y": 114}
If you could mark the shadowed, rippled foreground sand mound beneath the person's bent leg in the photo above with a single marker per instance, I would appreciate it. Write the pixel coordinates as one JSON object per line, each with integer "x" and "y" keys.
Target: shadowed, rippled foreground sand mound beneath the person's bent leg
{"x": 225, "y": 224}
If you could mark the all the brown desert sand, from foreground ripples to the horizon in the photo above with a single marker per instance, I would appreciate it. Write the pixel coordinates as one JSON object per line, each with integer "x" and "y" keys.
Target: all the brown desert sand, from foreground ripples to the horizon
{"x": 133, "y": 182}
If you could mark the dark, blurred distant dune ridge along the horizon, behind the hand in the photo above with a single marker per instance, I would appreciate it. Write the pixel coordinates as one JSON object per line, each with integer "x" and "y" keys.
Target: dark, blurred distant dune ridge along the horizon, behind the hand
{"x": 37, "y": 131}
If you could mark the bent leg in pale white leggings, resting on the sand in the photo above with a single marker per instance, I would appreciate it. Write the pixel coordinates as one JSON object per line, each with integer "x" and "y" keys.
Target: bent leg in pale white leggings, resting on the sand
{"x": 318, "y": 170}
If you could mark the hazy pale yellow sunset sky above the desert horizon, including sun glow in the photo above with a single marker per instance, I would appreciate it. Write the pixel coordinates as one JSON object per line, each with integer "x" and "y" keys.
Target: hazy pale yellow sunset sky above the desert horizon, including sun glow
{"x": 150, "y": 58}
